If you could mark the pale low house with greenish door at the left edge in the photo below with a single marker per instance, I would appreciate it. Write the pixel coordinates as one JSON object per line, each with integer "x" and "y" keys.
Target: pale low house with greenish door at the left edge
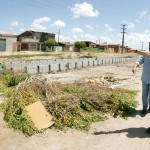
{"x": 8, "y": 43}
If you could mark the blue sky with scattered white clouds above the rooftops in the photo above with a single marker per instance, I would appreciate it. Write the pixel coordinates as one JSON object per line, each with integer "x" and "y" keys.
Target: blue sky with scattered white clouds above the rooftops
{"x": 99, "y": 21}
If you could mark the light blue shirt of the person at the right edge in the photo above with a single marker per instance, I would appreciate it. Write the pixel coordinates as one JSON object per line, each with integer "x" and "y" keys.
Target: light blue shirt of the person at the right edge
{"x": 146, "y": 68}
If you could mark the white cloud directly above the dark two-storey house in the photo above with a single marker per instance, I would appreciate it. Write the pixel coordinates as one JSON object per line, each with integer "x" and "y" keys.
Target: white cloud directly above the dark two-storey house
{"x": 37, "y": 24}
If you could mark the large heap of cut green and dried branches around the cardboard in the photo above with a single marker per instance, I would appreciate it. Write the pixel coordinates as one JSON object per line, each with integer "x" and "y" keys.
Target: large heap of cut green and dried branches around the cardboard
{"x": 74, "y": 105}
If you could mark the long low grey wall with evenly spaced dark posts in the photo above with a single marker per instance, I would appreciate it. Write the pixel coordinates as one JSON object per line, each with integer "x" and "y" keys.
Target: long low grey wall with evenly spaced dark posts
{"x": 54, "y": 65}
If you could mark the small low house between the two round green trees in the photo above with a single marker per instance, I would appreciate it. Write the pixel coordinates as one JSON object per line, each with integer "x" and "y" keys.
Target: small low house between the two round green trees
{"x": 66, "y": 46}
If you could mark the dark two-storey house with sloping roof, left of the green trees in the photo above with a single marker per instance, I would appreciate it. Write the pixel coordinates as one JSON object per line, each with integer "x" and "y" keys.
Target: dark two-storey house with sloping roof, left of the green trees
{"x": 33, "y": 40}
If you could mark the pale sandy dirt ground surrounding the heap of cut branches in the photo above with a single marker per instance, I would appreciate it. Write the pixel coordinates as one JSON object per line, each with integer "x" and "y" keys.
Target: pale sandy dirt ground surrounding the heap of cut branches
{"x": 112, "y": 134}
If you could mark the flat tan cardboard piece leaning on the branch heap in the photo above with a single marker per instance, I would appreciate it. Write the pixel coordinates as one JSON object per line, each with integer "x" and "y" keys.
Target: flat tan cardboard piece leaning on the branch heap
{"x": 40, "y": 117}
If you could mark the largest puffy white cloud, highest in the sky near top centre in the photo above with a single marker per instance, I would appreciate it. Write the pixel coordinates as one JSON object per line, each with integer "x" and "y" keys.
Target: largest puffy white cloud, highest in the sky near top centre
{"x": 85, "y": 9}
